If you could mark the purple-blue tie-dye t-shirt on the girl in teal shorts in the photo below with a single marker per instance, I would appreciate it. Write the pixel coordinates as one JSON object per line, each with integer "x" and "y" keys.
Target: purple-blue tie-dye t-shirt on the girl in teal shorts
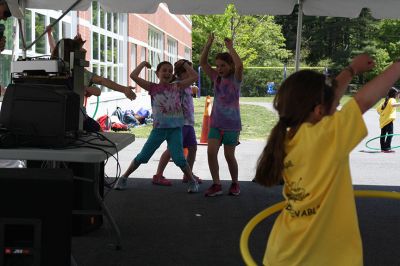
{"x": 225, "y": 112}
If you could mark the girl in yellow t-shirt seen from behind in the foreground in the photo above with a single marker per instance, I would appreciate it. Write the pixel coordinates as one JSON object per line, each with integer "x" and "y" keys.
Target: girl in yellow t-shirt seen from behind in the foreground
{"x": 309, "y": 149}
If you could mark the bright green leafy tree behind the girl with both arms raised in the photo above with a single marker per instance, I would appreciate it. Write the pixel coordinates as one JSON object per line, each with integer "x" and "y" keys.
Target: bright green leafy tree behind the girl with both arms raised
{"x": 258, "y": 41}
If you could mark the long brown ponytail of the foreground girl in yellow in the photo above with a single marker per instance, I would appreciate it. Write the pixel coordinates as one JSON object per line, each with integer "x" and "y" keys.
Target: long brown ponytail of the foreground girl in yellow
{"x": 271, "y": 161}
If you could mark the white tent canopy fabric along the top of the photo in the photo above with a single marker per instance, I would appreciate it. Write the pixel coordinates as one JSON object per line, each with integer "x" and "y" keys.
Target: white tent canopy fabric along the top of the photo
{"x": 336, "y": 8}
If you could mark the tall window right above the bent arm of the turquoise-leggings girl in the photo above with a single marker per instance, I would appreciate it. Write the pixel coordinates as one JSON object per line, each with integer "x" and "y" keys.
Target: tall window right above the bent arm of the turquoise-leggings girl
{"x": 155, "y": 52}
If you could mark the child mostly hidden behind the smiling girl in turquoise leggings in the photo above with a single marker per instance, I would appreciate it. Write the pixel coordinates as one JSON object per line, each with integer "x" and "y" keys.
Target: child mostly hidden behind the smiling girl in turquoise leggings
{"x": 188, "y": 133}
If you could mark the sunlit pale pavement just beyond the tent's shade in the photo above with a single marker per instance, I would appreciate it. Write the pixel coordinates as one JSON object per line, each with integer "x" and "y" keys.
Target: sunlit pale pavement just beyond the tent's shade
{"x": 367, "y": 168}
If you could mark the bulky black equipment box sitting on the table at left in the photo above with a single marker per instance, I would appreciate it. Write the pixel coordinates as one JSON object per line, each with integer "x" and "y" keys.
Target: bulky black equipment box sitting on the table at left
{"x": 41, "y": 115}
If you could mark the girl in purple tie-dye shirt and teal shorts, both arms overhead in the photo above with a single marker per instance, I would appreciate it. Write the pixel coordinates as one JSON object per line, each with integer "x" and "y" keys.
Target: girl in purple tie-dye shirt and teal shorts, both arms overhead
{"x": 225, "y": 123}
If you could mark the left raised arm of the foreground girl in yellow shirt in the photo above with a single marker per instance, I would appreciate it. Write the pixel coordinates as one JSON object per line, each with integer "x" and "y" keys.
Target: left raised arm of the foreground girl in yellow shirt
{"x": 358, "y": 65}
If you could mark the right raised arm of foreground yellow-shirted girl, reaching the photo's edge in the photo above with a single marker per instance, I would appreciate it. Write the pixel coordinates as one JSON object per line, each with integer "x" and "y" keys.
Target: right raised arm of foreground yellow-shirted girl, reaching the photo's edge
{"x": 377, "y": 88}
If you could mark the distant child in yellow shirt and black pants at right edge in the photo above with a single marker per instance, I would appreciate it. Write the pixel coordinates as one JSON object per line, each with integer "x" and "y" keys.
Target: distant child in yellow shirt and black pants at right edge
{"x": 387, "y": 114}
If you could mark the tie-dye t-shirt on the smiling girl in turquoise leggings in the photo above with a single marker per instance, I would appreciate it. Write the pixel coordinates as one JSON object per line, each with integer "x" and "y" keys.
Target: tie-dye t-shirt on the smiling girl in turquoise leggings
{"x": 166, "y": 105}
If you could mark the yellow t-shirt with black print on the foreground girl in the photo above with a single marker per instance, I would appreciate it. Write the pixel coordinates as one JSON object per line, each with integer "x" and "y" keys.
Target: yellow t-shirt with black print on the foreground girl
{"x": 319, "y": 224}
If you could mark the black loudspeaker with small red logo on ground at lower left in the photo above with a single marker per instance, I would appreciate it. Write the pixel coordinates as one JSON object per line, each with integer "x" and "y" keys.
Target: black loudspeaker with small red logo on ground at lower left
{"x": 35, "y": 217}
